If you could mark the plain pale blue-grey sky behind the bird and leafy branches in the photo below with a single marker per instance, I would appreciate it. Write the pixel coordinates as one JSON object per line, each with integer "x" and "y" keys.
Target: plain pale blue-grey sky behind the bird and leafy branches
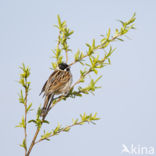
{"x": 126, "y": 102}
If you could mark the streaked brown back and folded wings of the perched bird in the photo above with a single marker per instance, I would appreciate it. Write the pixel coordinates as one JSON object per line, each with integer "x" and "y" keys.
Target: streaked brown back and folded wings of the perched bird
{"x": 57, "y": 81}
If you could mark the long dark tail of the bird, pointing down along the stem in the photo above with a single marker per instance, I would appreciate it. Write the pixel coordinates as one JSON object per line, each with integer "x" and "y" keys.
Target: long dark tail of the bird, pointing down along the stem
{"x": 47, "y": 103}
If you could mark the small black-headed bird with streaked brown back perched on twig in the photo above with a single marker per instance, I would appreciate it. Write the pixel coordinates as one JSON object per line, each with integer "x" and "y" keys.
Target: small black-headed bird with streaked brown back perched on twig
{"x": 59, "y": 82}
